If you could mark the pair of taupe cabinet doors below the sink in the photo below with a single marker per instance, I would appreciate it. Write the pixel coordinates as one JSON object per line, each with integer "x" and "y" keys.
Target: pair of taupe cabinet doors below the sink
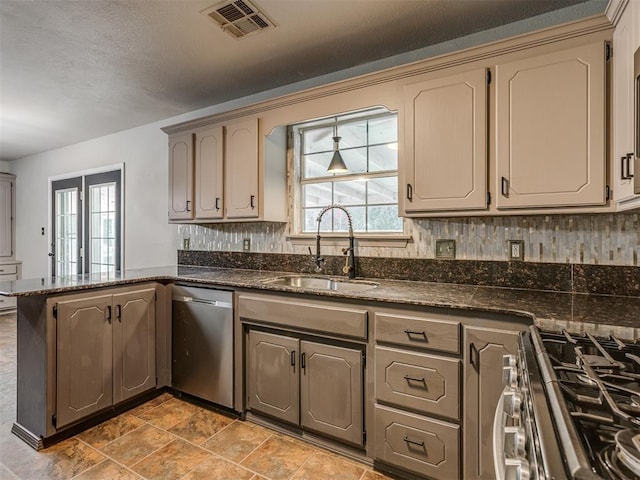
{"x": 314, "y": 385}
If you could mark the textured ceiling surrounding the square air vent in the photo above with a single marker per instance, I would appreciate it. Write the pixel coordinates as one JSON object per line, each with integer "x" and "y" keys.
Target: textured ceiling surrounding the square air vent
{"x": 72, "y": 70}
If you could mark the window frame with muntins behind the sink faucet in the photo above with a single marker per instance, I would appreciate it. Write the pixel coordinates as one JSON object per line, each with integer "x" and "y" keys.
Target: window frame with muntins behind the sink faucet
{"x": 298, "y": 180}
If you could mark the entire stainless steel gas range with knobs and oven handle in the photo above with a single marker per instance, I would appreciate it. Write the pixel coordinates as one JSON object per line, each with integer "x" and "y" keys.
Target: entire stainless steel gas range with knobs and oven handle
{"x": 576, "y": 409}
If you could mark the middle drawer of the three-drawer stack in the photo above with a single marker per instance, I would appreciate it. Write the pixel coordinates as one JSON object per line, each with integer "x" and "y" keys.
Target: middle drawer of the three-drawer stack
{"x": 421, "y": 382}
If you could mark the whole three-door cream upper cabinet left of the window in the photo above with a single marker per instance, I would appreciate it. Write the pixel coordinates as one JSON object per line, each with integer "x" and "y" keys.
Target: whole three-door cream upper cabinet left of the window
{"x": 227, "y": 173}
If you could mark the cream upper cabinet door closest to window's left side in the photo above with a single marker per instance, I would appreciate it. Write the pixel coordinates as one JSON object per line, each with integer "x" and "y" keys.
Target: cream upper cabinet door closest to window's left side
{"x": 242, "y": 169}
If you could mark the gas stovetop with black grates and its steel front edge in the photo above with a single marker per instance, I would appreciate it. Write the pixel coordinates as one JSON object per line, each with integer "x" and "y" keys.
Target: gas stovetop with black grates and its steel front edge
{"x": 593, "y": 386}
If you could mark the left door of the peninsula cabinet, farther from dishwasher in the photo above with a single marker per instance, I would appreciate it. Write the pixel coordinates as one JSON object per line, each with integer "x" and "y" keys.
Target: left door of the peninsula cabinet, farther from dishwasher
{"x": 84, "y": 358}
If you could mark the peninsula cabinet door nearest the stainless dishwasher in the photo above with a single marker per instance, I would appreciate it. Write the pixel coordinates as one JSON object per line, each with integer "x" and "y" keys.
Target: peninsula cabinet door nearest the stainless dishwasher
{"x": 134, "y": 332}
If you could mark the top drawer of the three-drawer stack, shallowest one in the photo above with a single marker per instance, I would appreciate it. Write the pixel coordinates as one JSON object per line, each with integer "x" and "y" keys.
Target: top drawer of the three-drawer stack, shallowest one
{"x": 420, "y": 332}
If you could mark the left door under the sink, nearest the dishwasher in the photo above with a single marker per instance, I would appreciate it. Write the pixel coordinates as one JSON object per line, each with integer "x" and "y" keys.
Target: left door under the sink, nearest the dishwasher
{"x": 273, "y": 375}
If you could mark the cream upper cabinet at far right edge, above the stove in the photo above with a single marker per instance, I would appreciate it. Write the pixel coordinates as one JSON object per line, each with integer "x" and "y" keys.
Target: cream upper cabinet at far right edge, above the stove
{"x": 626, "y": 40}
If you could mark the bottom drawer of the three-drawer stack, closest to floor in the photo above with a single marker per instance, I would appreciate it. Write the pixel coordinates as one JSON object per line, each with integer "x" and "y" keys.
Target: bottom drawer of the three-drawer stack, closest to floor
{"x": 419, "y": 444}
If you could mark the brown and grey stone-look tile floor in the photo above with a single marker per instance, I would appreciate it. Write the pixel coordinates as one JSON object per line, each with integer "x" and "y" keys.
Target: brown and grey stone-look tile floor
{"x": 165, "y": 438}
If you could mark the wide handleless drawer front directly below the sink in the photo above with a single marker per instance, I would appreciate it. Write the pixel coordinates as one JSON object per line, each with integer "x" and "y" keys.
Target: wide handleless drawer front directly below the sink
{"x": 308, "y": 314}
